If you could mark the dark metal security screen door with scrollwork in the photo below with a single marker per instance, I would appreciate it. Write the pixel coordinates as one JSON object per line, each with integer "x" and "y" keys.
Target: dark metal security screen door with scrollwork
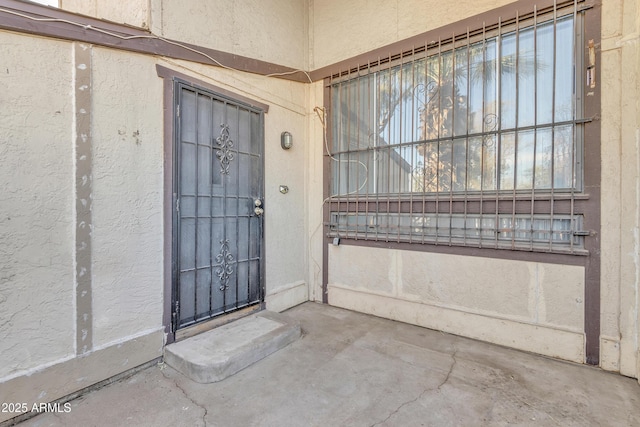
{"x": 218, "y": 186}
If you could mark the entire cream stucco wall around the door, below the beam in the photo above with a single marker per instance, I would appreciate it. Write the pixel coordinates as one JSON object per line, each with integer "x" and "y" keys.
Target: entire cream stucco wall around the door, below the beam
{"x": 38, "y": 354}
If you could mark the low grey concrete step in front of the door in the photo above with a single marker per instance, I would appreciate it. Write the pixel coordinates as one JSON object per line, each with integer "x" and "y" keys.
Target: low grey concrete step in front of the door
{"x": 221, "y": 352}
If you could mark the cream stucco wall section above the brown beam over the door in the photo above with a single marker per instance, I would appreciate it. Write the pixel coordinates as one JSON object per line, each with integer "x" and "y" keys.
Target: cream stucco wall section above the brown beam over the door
{"x": 269, "y": 30}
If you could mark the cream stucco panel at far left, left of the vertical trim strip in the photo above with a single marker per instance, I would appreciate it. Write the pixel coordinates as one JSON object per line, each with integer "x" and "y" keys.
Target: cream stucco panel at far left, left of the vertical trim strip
{"x": 36, "y": 209}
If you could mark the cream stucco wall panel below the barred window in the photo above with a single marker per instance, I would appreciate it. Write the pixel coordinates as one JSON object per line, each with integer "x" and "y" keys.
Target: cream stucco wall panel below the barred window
{"x": 544, "y": 299}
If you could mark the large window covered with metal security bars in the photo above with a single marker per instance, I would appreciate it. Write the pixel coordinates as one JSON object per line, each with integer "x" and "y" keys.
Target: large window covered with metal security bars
{"x": 476, "y": 140}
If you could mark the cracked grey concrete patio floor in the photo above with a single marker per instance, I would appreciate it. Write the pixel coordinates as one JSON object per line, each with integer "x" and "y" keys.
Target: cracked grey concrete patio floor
{"x": 351, "y": 369}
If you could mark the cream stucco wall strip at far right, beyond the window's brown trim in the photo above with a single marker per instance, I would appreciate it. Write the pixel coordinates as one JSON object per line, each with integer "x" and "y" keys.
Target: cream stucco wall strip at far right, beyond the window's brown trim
{"x": 620, "y": 186}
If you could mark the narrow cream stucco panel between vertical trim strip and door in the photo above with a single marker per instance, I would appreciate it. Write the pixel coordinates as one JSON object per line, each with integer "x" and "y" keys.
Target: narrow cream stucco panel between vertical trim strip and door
{"x": 127, "y": 195}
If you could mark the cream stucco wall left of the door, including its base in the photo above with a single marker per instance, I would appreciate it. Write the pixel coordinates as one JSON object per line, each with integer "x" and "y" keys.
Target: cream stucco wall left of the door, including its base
{"x": 38, "y": 221}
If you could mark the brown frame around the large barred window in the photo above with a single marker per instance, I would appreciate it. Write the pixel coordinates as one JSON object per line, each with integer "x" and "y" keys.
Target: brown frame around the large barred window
{"x": 567, "y": 201}
